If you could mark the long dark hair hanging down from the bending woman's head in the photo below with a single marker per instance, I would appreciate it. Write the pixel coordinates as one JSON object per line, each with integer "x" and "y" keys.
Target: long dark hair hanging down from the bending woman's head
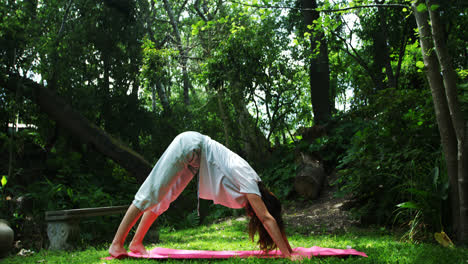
{"x": 273, "y": 205}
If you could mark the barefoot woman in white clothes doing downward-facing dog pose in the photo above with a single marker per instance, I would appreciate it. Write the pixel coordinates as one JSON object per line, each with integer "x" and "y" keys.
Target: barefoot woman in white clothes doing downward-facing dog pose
{"x": 224, "y": 177}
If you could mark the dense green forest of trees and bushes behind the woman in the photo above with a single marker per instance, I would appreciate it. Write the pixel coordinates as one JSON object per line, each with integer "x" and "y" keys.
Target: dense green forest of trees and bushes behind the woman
{"x": 92, "y": 92}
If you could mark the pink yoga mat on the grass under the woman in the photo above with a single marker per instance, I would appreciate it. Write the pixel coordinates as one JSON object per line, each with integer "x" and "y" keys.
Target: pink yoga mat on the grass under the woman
{"x": 165, "y": 253}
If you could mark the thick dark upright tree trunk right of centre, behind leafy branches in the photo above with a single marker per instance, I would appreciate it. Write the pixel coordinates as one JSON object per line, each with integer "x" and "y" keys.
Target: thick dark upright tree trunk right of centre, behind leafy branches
{"x": 319, "y": 72}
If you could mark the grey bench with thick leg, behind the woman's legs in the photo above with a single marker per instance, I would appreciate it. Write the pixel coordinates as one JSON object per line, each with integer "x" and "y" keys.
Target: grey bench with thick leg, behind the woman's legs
{"x": 63, "y": 225}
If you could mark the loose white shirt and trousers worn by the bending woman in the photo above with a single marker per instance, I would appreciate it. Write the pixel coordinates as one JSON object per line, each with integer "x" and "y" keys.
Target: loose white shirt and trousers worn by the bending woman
{"x": 224, "y": 176}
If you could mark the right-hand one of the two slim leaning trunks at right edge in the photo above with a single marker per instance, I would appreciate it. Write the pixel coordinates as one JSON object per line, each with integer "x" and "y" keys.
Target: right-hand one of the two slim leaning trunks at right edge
{"x": 450, "y": 83}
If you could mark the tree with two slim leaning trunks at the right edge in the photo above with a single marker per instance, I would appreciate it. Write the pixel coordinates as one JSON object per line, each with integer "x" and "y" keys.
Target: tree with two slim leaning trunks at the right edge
{"x": 452, "y": 126}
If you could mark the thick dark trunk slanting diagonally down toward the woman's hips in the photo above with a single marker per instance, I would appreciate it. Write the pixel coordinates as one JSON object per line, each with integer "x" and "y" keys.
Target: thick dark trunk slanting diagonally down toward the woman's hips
{"x": 79, "y": 126}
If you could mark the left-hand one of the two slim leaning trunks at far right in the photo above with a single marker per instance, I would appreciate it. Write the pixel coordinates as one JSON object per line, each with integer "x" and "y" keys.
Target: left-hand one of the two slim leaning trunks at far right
{"x": 447, "y": 133}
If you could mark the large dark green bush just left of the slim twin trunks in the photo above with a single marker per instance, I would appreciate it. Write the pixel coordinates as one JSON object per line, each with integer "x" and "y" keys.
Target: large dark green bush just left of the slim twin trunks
{"x": 395, "y": 158}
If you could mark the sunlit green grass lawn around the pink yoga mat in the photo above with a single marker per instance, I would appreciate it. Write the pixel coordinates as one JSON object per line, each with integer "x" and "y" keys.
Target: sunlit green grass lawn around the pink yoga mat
{"x": 381, "y": 247}
